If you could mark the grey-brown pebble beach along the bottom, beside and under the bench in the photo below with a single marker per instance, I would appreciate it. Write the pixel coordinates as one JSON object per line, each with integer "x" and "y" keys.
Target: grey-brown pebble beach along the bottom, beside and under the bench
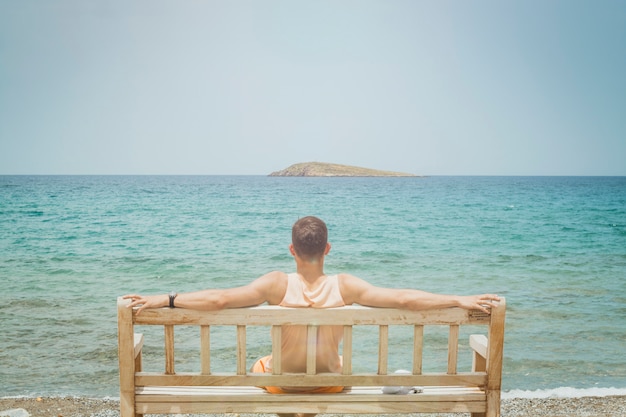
{"x": 610, "y": 406}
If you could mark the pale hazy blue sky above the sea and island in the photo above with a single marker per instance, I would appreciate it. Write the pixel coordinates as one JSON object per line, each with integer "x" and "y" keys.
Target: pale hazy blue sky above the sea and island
{"x": 232, "y": 87}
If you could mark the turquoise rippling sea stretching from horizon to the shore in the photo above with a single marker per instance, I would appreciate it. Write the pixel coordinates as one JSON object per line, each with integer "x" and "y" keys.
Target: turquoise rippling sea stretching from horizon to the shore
{"x": 555, "y": 247}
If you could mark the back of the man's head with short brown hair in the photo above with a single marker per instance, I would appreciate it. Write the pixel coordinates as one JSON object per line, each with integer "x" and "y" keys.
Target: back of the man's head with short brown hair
{"x": 309, "y": 237}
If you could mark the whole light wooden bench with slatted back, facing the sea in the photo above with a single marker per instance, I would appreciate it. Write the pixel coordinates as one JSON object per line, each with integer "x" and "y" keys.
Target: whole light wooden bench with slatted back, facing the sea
{"x": 475, "y": 391}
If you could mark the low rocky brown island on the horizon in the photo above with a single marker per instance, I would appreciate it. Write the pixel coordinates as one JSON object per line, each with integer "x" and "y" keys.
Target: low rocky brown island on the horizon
{"x": 323, "y": 169}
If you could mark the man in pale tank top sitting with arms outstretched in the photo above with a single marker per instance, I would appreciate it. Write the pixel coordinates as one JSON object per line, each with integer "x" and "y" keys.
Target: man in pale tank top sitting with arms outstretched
{"x": 309, "y": 286}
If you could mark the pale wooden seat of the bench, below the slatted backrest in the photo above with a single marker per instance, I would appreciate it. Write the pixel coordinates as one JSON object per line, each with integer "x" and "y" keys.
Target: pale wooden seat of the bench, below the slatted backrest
{"x": 152, "y": 400}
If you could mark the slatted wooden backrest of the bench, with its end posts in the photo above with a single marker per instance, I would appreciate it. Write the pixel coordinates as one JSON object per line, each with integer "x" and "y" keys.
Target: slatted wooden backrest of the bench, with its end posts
{"x": 486, "y": 373}
